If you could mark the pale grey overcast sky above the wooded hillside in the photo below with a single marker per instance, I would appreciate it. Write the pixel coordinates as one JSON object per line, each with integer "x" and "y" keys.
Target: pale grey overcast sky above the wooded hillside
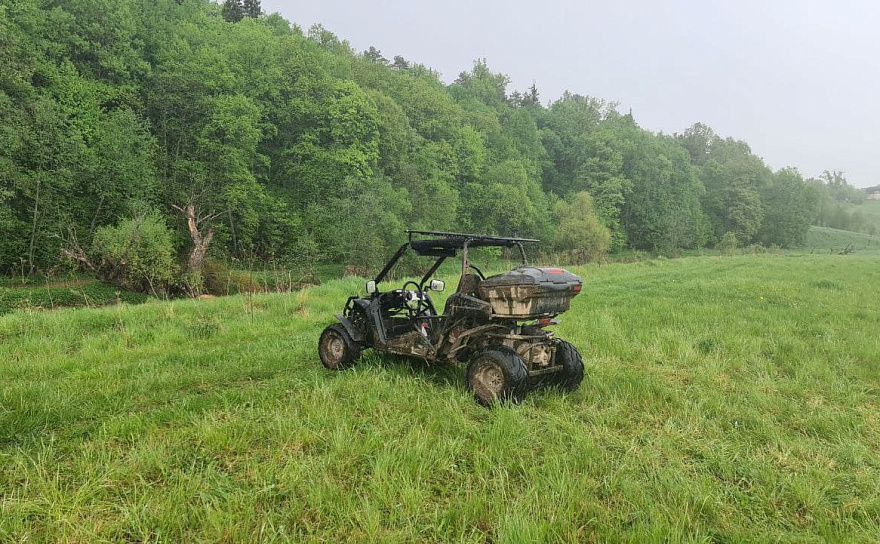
{"x": 798, "y": 80}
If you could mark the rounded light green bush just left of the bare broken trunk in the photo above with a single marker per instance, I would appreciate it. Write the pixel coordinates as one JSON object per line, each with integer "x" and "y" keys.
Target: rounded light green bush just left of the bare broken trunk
{"x": 137, "y": 254}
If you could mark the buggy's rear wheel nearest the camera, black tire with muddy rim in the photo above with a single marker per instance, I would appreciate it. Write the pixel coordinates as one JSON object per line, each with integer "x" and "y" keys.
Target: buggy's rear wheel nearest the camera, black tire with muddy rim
{"x": 497, "y": 375}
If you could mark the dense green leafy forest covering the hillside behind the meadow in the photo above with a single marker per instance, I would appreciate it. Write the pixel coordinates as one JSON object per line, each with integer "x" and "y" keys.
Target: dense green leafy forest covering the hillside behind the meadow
{"x": 141, "y": 138}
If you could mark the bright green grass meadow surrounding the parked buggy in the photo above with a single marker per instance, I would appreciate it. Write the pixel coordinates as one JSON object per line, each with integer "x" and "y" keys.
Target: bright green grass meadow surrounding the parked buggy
{"x": 726, "y": 399}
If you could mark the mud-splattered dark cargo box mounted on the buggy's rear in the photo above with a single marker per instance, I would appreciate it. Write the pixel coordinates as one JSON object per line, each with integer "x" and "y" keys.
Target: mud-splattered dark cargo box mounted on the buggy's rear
{"x": 528, "y": 292}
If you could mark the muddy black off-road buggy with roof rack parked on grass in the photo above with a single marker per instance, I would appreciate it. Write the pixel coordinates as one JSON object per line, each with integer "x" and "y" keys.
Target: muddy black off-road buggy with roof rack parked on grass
{"x": 496, "y": 324}
